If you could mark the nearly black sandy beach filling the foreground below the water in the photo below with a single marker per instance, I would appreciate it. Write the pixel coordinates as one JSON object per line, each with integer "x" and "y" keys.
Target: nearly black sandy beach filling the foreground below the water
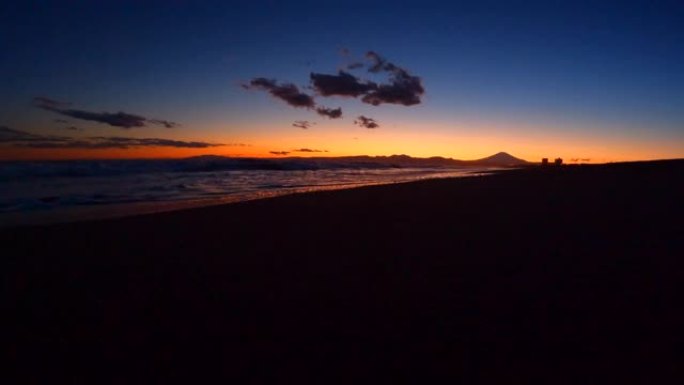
{"x": 569, "y": 275}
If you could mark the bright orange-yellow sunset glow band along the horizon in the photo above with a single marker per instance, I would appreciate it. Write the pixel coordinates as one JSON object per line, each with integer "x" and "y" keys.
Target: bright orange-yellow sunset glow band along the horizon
{"x": 451, "y": 140}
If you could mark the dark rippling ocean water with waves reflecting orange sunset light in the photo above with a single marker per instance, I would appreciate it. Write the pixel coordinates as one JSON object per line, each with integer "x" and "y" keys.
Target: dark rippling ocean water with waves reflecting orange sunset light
{"x": 63, "y": 191}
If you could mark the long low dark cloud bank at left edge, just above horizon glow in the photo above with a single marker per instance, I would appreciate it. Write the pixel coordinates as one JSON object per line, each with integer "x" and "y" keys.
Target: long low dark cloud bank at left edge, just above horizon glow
{"x": 18, "y": 138}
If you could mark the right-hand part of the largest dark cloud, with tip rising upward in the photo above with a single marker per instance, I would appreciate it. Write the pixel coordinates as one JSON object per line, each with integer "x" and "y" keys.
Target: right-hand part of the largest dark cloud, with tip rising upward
{"x": 403, "y": 88}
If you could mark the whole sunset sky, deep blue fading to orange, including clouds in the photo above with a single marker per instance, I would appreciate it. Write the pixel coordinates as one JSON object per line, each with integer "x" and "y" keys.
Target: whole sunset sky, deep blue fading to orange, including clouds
{"x": 586, "y": 81}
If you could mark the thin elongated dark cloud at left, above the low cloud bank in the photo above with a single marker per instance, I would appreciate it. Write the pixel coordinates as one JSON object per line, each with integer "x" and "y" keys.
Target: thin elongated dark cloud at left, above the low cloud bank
{"x": 116, "y": 119}
